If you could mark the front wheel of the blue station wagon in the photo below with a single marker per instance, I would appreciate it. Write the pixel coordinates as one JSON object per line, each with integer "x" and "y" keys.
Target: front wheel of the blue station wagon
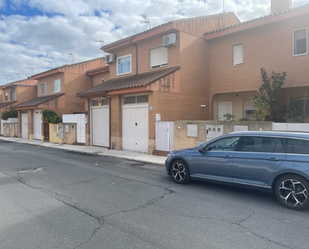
{"x": 179, "y": 171}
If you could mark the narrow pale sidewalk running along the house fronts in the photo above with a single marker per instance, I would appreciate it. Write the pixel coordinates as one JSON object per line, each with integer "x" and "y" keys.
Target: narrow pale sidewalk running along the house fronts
{"x": 131, "y": 155}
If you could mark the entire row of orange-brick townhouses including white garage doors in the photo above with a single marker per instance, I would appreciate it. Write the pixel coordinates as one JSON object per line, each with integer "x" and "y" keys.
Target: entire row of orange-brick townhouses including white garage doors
{"x": 191, "y": 69}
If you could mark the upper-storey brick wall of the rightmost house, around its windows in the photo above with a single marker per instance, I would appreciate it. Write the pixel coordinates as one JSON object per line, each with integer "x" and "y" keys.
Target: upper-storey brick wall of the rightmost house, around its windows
{"x": 270, "y": 47}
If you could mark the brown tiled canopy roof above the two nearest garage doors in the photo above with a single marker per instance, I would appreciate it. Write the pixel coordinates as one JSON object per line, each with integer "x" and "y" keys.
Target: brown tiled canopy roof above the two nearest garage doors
{"x": 139, "y": 80}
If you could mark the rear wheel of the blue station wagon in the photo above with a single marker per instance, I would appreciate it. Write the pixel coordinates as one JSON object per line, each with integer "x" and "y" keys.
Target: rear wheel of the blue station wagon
{"x": 292, "y": 192}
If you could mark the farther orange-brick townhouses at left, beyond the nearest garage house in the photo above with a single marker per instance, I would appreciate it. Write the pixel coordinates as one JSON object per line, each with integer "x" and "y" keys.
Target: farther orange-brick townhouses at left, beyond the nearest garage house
{"x": 53, "y": 90}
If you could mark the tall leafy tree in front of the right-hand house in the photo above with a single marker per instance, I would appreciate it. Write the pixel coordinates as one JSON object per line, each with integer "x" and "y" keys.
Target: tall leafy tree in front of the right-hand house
{"x": 267, "y": 101}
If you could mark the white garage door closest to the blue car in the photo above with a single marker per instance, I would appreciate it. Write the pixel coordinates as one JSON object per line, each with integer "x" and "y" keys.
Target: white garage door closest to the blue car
{"x": 135, "y": 127}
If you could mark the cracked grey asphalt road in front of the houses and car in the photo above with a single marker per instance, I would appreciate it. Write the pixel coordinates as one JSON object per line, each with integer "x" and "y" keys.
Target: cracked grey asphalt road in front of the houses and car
{"x": 56, "y": 199}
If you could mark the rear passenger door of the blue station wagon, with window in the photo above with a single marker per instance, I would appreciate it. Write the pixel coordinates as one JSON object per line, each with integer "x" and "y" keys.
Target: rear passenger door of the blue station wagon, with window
{"x": 256, "y": 159}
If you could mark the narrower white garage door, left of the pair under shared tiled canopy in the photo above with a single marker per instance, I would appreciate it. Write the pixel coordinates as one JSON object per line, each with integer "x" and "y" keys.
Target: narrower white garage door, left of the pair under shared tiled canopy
{"x": 100, "y": 126}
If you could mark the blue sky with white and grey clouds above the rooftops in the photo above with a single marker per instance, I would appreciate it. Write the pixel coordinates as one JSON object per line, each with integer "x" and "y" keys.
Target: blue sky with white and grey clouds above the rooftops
{"x": 36, "y": 35}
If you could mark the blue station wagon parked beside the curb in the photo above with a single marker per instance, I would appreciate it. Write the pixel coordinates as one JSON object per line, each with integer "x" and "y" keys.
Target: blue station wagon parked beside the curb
{"x": 271, "y": 161}
